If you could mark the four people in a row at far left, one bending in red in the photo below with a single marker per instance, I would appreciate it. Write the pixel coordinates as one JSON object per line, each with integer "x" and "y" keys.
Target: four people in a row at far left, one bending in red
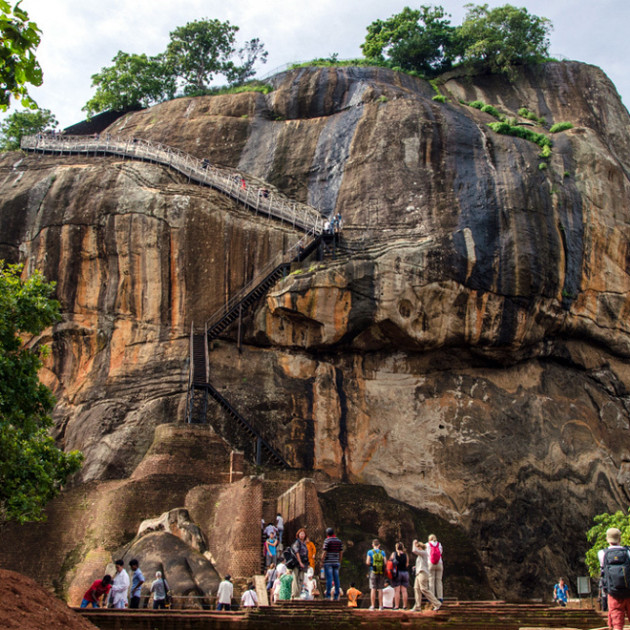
{"x": 121, "y": 591}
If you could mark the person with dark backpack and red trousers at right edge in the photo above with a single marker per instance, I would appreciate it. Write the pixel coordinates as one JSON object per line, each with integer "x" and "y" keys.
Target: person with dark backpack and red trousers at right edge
{"x": 615, "y": 563}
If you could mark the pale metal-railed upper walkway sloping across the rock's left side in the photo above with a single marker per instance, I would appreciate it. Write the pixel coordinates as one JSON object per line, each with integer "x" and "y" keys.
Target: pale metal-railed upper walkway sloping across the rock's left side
{"x": 228, "y": 181}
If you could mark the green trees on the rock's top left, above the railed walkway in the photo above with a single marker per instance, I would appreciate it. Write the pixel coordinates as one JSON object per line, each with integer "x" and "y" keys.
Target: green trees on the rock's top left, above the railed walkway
{"x": 196, "y": 53}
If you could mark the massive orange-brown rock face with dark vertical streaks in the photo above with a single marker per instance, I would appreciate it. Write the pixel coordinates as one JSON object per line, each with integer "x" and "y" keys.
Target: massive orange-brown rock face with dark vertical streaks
{"x": 471, "y": 356}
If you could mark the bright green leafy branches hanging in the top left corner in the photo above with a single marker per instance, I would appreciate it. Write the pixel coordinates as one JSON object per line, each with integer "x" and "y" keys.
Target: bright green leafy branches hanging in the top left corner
{"x": 19, "y": 37}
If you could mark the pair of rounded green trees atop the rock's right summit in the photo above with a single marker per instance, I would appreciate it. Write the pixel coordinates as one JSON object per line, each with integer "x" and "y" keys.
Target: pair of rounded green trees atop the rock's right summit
{"x": 424, "y": 41}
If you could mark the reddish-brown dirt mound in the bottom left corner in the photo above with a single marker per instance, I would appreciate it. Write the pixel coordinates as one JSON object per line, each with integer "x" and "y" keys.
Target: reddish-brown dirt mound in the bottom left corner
{"x": 25, "y": 605}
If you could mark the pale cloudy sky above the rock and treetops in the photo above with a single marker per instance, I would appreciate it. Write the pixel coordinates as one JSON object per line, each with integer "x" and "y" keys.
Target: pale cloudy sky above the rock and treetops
{"x": 80, "y": 37}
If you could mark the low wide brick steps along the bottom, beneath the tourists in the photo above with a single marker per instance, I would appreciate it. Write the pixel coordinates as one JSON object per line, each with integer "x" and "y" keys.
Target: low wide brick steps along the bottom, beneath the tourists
{"x": 336, "y": 615}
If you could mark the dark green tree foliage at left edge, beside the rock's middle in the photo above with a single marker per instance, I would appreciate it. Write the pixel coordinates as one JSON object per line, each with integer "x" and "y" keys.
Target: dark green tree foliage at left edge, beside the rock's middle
{"x": 32, "y": 468}
